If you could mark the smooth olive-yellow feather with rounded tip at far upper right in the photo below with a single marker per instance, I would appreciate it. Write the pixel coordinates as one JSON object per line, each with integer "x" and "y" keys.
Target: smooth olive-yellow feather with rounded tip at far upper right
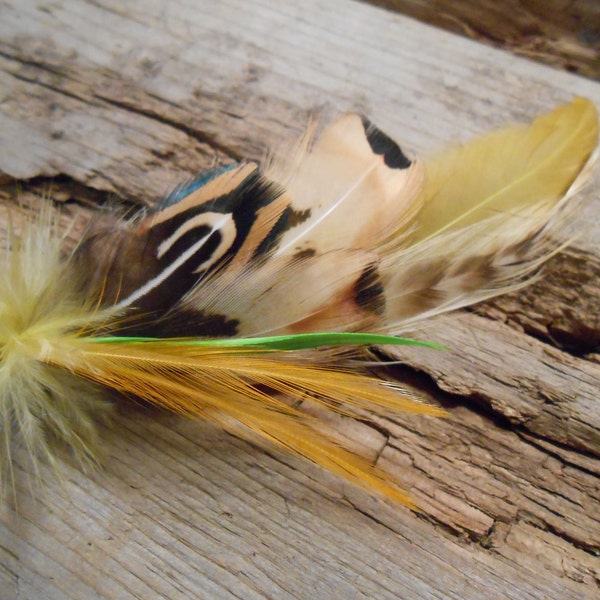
{"x": 511, "y": 172}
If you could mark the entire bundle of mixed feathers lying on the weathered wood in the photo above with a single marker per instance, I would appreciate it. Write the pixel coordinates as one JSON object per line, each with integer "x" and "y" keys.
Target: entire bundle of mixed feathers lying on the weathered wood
{"x": 251, "y": 288}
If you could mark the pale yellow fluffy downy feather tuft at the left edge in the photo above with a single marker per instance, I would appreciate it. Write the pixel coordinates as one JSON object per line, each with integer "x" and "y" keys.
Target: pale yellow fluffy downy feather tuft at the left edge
{"x": 40, "y": 301}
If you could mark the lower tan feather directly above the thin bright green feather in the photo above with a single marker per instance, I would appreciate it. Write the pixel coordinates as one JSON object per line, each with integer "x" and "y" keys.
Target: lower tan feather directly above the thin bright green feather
{"x": 311, "y": 285}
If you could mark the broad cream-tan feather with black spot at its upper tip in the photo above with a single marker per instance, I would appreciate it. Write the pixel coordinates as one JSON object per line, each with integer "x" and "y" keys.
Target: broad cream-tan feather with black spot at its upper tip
{"x": 346, "y": 193}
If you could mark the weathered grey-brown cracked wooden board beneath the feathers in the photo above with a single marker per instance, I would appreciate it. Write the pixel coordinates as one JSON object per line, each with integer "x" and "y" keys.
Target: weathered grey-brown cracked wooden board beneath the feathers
{"x": 107, "y": 100}
